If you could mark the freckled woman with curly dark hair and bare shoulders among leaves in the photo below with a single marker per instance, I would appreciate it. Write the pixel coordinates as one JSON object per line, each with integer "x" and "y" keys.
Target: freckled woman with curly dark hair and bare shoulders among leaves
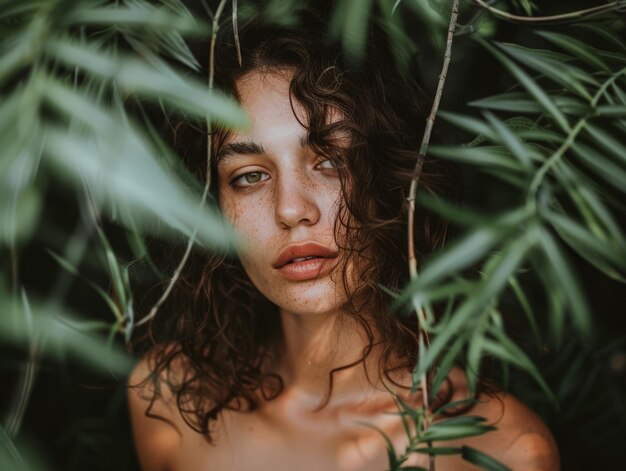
{"x": 288, "y": 355}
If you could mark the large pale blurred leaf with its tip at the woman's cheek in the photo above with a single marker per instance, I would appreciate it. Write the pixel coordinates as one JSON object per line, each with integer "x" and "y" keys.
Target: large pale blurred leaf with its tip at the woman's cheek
{"x": 120, "y": 171}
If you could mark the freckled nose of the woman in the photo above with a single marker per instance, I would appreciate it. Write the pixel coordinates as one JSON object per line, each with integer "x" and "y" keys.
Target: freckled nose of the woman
{"x": 296, "y": 202}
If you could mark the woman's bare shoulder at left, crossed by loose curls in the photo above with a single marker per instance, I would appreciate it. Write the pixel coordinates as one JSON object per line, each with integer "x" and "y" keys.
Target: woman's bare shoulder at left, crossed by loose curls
{"x": 155, "y": 420}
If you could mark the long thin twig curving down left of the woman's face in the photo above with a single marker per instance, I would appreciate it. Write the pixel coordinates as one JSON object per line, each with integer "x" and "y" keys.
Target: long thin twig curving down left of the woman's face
{"x": 205, "y": 193}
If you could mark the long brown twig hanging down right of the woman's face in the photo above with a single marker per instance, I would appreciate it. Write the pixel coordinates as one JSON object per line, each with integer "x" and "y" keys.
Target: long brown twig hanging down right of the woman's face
{"x": 430, "y": 121}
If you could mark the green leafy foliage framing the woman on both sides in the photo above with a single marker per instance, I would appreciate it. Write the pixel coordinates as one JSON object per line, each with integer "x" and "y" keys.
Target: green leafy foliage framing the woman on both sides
{"x": 81, "y": 82}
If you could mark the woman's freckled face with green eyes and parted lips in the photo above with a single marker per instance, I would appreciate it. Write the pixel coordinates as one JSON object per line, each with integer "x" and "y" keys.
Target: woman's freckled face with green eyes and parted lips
{"x": 283, "y": 198}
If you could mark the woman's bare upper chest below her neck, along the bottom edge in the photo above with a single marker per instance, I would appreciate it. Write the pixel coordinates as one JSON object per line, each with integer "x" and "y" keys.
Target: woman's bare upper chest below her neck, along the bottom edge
{"x": 252, "y": 442}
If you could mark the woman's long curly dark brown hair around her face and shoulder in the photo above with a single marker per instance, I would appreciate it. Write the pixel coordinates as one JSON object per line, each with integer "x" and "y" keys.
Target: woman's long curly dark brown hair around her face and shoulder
{"x": 211, "y": 350}
